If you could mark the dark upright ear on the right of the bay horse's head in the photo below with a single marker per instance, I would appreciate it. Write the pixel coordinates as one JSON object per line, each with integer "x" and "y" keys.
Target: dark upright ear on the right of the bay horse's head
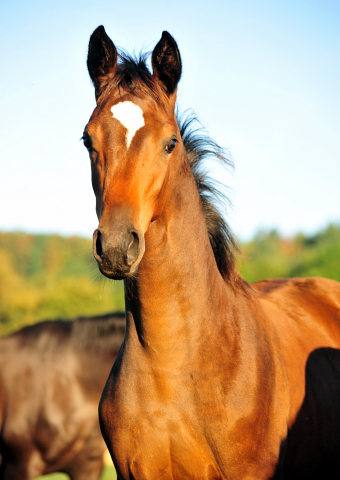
{"x": 166, "y": 63}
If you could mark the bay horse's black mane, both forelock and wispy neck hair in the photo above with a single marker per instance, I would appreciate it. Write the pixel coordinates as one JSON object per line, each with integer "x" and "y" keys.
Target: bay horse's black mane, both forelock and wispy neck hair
{"x": 133, "y": 75}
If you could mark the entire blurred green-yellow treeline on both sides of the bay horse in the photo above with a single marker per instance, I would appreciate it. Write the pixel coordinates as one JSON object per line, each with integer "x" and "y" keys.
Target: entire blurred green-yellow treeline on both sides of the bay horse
{"x": 49, "y": 276}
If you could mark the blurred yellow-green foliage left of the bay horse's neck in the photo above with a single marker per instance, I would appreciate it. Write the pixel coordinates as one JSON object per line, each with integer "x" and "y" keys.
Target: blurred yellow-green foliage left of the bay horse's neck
{"x": 48, "y": 277}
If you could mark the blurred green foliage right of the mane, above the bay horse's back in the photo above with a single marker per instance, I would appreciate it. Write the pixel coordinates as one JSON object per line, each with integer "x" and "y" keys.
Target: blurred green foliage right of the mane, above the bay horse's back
{"x": 269, "y": 255}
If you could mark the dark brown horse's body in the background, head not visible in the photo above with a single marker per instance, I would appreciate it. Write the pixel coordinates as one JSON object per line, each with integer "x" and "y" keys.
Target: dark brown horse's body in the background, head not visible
{"x": 51, "y": 377}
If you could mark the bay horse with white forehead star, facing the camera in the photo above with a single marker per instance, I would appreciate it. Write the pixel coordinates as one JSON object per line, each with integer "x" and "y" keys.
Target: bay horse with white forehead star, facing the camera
{"x": 216, "y": 379}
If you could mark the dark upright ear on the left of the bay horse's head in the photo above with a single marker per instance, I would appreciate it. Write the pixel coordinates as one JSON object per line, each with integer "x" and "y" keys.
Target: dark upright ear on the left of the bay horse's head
{"x": 101, "y": 59}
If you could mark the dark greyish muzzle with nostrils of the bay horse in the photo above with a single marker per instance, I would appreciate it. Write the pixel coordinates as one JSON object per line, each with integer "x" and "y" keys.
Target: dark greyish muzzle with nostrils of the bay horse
{"x": 118, "y": 253}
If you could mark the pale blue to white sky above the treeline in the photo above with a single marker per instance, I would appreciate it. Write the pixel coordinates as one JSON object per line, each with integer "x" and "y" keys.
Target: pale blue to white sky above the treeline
{"x": 262, "y": 76}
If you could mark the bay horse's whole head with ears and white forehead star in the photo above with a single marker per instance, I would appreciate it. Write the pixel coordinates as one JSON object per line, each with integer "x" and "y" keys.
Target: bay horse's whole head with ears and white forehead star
{"x": 132, "y": 138}
